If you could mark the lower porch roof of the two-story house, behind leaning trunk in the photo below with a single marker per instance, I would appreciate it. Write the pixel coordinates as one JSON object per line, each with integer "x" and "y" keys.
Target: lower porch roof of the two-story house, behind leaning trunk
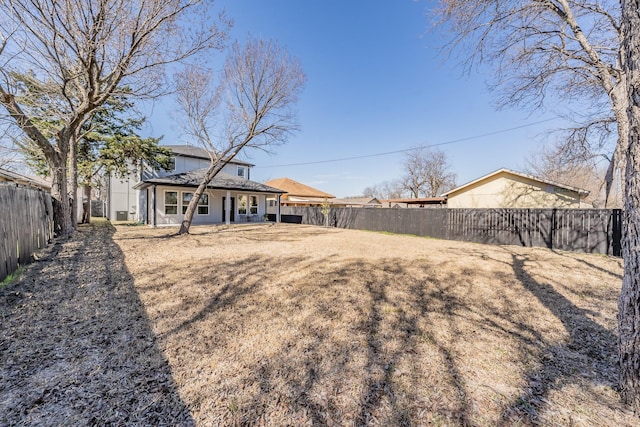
{"x": 222, "y": 181}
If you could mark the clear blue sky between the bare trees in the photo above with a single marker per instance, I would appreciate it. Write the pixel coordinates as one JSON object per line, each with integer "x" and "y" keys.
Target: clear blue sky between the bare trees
{"x": 376, "y": 83}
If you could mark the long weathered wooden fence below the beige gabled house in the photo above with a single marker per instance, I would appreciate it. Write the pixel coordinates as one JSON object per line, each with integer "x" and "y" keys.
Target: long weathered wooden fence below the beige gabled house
{"x": 578, "y": 230}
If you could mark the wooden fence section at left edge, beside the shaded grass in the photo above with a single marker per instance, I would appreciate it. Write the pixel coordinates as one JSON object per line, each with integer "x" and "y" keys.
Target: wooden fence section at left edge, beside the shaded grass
{"x": 26, "y": 225}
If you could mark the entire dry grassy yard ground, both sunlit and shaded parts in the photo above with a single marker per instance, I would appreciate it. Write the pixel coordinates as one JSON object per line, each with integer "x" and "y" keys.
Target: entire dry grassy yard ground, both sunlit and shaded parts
{"x": 282, "y": 324}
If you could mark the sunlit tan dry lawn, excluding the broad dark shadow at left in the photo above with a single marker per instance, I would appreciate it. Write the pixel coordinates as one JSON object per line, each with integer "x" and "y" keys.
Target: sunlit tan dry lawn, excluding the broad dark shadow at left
{"x": 300, "y": 325}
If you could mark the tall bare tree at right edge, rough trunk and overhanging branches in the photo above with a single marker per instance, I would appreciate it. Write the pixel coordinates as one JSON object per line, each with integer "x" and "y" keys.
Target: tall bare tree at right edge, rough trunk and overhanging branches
{"x": 583, "y": 53}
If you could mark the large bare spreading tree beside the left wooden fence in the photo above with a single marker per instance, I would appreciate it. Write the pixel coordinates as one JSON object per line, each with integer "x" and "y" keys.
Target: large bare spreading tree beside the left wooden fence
{"x": 82, "y": 53}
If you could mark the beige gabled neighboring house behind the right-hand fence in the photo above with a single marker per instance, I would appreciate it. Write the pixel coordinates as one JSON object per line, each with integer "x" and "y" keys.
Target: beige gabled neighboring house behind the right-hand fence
{"x": 505, "y": 188}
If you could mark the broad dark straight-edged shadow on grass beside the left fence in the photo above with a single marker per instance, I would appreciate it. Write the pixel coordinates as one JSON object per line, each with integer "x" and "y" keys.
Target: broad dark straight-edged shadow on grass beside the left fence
{"x": 76, "y": 347}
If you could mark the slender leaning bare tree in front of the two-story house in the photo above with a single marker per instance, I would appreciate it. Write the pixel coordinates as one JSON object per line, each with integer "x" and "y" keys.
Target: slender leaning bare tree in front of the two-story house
{"x": 253, "y": 102}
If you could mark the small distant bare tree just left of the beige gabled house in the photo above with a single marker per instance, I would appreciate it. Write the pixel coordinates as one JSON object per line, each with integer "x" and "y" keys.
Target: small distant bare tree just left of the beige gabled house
{"x": 427, "y": 173}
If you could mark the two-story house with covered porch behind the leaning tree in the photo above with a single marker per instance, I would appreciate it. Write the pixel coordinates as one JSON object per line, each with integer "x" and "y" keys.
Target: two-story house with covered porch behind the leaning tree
{"x": 161, "y": 197}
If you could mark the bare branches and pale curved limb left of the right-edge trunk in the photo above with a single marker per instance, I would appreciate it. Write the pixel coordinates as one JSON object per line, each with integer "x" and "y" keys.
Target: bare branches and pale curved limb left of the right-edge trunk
{"x": 562, "y": 51}
